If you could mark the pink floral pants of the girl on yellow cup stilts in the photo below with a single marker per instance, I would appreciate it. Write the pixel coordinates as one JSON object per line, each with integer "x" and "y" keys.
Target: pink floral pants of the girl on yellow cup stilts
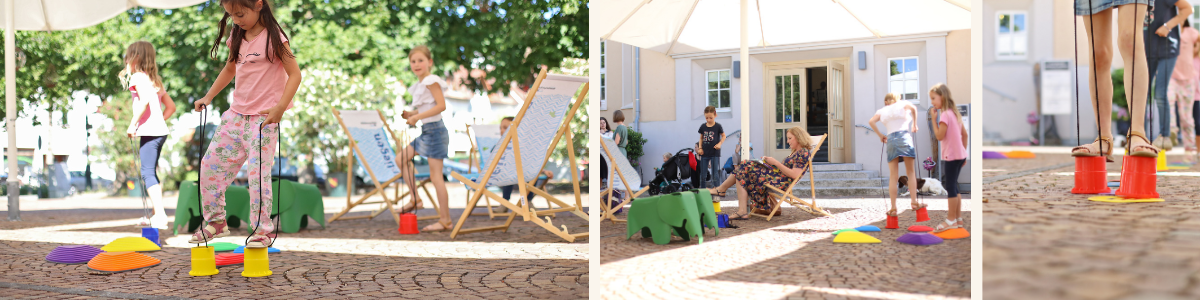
{"x": 236, "y": 143}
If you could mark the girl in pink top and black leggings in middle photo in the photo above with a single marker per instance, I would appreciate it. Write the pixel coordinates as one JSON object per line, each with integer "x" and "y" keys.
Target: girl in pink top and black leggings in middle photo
{"x": 953, "y": 137}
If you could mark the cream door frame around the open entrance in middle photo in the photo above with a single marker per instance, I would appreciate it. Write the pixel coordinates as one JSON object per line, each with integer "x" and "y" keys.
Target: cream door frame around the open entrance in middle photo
{"x": 769, "y": 92}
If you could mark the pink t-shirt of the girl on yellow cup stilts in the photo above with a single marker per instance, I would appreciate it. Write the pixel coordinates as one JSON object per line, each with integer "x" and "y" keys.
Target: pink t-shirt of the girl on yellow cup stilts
{"x": 259, "y": 83}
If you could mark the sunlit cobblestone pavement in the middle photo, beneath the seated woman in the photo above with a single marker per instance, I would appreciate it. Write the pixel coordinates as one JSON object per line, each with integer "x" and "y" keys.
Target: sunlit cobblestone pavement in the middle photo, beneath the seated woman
{"x": 793, "y": 256}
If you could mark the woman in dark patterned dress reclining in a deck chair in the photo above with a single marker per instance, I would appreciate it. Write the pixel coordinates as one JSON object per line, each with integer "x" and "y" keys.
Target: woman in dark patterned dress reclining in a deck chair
{"x": 753, "y": 177}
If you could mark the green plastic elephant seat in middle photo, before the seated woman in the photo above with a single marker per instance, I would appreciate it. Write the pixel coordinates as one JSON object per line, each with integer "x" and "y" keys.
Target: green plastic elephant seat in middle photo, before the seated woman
{"x": 662, "y": 217}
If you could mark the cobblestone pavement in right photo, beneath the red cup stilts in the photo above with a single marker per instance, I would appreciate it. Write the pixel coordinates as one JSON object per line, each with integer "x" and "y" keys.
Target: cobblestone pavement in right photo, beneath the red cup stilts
{"x": 1042, "y": 242}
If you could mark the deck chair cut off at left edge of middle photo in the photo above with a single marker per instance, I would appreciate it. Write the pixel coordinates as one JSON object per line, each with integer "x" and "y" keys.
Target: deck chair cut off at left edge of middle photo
{"x": 621, "y": 173}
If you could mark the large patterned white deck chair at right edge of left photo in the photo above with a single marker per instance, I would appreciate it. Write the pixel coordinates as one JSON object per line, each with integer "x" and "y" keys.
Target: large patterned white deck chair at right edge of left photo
{"x": 523, "y": 153}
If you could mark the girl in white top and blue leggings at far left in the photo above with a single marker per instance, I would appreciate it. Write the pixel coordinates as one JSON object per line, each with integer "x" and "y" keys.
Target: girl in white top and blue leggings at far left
{"x": 152, "y": 107}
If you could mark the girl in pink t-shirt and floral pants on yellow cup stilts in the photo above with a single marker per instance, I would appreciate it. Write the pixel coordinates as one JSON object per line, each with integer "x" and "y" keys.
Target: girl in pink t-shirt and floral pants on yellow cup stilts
{"x": 268, "y": 79}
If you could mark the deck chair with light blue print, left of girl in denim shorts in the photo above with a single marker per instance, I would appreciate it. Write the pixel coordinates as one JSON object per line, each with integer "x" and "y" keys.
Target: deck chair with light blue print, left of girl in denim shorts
{"x": 369, "y": 134}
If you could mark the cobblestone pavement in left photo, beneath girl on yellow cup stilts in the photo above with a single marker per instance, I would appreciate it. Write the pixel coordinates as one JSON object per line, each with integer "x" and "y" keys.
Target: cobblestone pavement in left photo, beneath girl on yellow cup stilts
{"x": 352, "y": 259}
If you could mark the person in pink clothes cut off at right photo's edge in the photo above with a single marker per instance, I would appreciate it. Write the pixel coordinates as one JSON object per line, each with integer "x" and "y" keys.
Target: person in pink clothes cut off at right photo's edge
{"x": 1183, "y": 89}
